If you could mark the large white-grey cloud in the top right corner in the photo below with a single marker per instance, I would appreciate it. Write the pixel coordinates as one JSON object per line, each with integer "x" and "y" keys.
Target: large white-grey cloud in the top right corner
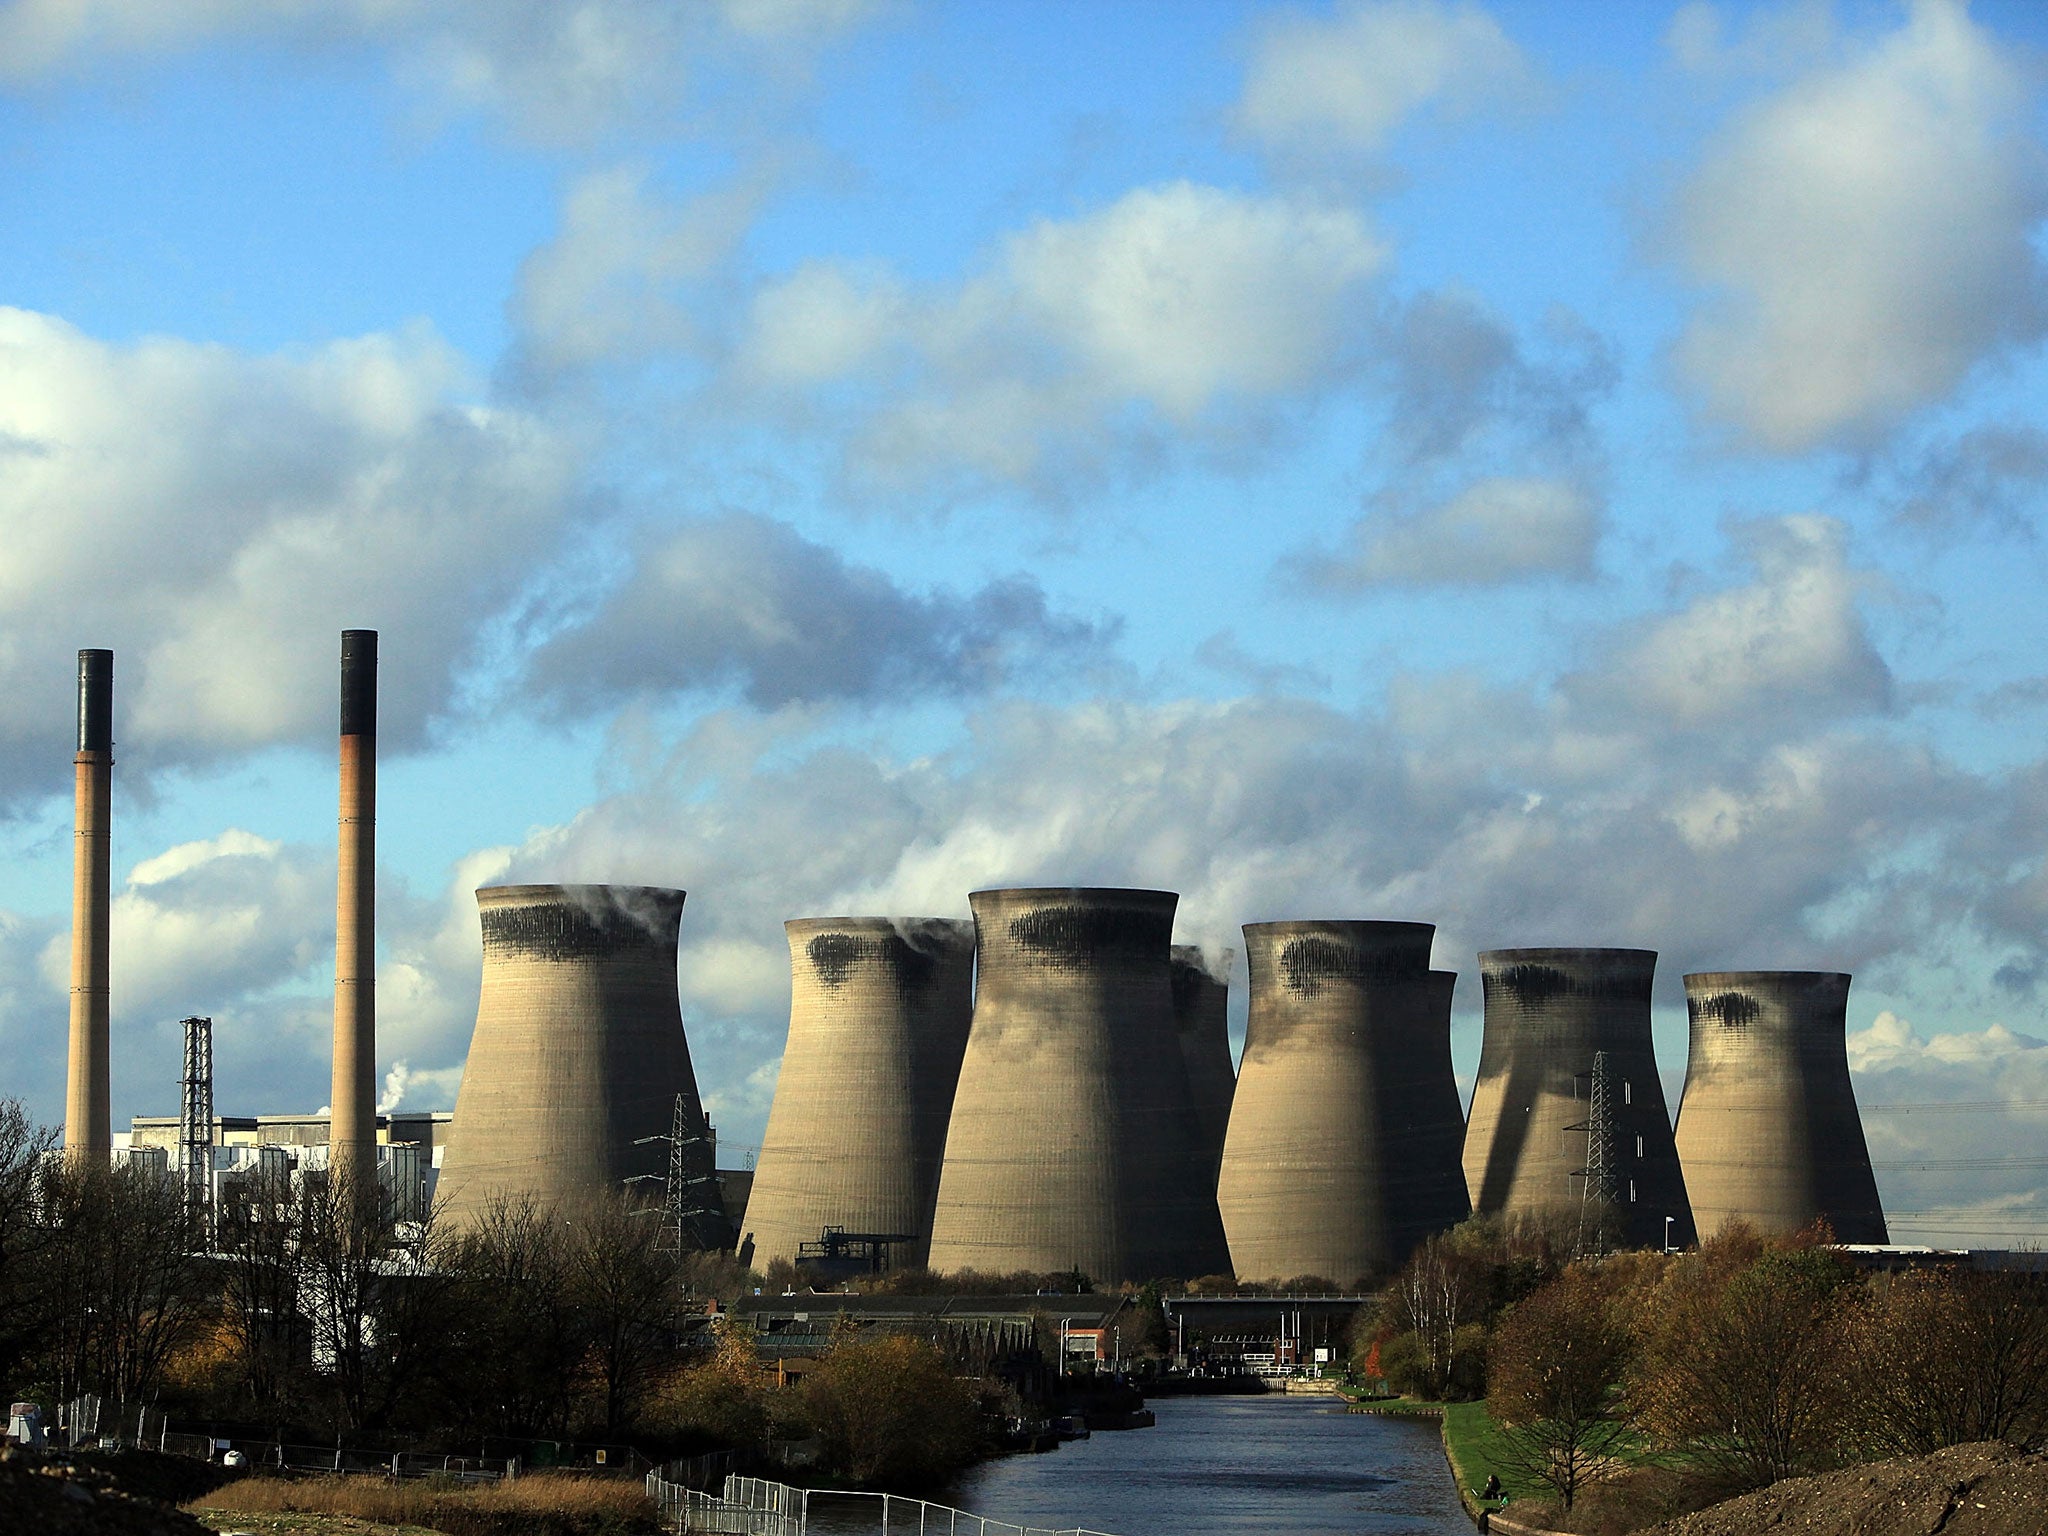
{"x": 1865, "y": 239}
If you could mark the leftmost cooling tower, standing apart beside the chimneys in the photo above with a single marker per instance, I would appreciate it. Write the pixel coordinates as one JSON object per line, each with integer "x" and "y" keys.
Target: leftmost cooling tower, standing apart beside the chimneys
{"x": 579, "y": 1052}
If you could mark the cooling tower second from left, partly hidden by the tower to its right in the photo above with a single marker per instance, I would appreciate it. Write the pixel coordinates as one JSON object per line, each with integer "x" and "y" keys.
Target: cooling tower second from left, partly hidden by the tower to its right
{"x": 878, "y": 1025}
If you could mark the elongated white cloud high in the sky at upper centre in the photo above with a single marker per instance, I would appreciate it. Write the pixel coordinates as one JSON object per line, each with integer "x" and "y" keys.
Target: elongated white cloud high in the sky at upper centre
{"x": 1168, "y": 316}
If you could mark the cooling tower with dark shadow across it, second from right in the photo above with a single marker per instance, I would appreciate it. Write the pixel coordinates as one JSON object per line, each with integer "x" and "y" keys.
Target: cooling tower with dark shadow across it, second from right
{"x": 1541, "y": 1127}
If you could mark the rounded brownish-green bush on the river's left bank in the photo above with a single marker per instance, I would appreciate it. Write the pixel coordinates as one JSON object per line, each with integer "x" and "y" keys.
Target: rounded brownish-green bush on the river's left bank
{"x": 892, "y": 1414}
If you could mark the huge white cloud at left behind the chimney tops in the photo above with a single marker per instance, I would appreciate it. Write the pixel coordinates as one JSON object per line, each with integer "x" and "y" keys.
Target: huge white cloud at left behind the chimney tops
{"x": 218, "y": 519}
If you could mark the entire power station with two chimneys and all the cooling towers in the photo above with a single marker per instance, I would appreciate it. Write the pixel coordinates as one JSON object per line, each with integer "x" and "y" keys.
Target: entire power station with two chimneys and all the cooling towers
{"x": 1043, "y": 1091}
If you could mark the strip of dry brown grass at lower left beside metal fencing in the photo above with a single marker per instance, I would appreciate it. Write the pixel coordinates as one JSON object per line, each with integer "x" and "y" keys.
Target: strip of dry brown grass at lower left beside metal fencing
{"x": 540, "y": 1504}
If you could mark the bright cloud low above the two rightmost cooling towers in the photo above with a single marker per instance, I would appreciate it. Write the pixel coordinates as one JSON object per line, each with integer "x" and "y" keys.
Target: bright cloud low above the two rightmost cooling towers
{"x": 1789, "y": 642}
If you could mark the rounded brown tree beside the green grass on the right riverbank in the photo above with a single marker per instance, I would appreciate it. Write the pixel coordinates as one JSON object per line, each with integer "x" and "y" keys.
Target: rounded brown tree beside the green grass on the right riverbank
{"x": 1555, "y": 1381}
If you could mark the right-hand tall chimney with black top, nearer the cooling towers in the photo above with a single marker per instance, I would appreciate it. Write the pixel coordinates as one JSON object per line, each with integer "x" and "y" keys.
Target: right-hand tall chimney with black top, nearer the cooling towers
{"x": 353, "y": 1134}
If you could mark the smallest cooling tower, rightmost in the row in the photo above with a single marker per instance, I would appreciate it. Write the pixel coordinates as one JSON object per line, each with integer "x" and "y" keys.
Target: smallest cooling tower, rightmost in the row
{"x": 1768, "y": 1127}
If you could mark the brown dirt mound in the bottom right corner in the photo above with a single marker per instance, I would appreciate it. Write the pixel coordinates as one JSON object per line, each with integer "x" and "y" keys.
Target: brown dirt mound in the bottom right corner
{"x": 1981, "y": 1490}
